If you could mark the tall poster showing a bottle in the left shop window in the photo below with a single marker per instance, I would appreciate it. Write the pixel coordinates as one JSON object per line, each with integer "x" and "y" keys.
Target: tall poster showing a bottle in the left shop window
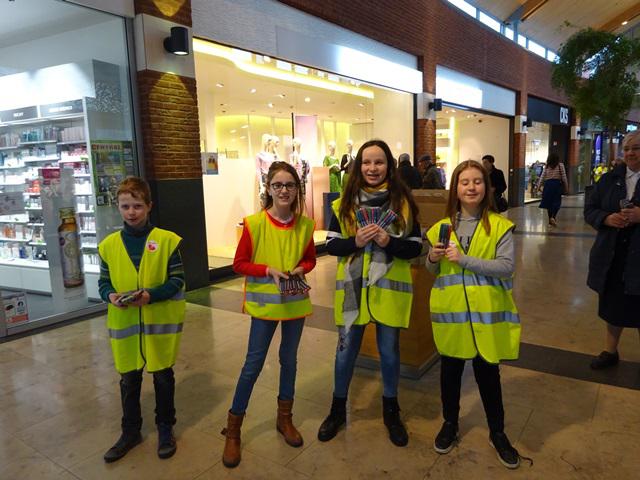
{"x": 61, "y": 235}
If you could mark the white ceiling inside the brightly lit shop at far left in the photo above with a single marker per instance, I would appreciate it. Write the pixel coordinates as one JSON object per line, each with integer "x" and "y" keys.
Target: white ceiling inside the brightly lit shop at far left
{"x": 25, "y": 20}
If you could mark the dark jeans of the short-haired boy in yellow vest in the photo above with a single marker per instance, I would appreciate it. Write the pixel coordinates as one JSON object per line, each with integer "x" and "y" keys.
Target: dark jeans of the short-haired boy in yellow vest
{"x": 130, "y": 385}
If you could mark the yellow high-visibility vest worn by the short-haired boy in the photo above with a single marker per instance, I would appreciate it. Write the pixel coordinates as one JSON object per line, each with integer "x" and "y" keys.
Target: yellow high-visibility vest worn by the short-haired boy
{"x": 151, "y": 332}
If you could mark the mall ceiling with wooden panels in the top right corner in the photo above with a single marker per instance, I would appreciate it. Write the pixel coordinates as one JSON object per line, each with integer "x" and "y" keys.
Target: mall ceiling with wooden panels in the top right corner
{"x": 555, "y": 21}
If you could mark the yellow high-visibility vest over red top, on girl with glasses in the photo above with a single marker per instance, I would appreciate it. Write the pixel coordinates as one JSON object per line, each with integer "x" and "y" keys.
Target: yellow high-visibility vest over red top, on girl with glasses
{"x": 280, "y": 248}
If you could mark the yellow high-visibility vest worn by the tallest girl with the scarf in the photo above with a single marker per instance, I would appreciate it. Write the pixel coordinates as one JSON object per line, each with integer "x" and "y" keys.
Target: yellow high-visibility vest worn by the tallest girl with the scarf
{"x": 388, "y": 301}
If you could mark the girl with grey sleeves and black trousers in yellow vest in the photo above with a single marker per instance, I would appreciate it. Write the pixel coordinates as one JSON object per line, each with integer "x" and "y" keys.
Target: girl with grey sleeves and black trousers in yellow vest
{"x": 472, "y": 311}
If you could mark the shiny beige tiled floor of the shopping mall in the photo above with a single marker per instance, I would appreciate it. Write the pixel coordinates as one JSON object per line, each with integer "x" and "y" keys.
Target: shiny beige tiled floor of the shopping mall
{"x": 59, "y": 406}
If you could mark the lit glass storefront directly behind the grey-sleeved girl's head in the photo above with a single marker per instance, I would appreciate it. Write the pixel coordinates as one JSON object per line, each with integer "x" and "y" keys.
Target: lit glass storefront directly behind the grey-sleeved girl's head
{"x": 463, "y": 134}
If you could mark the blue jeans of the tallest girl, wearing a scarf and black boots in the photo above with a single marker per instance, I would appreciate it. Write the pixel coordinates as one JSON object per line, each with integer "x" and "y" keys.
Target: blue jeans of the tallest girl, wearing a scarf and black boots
{"x": 388, "y": 339}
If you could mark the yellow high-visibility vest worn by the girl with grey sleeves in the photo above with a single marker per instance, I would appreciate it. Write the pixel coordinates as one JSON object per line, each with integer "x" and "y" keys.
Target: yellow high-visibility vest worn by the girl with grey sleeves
{"x": 474, "y": 314}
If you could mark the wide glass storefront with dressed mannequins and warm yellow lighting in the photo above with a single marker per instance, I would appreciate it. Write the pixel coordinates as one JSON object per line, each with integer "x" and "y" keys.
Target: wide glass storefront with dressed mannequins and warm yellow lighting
{"x": 255, "y": 109}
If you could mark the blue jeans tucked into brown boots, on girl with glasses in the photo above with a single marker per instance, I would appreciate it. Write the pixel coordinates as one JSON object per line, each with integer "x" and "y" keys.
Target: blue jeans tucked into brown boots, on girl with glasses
{"x": 259, "y": 340}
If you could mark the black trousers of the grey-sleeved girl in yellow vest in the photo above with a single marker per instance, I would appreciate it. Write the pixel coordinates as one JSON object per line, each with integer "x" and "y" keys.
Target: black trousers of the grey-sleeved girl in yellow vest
{"x": 488, "y": 380}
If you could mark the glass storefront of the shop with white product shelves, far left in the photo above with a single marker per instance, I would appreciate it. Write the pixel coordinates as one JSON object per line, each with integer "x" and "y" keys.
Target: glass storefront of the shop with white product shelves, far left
{"x": 66, "y": 140}
